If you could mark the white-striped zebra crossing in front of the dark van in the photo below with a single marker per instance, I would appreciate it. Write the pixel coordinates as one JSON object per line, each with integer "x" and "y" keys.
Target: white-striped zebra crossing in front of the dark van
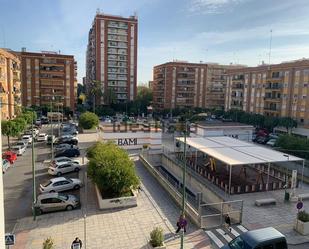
{"x": 221, "y": 236}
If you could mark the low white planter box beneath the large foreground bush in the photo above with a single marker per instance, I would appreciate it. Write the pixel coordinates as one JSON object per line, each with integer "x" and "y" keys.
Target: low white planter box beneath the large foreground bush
{"x": 120, "y": 202}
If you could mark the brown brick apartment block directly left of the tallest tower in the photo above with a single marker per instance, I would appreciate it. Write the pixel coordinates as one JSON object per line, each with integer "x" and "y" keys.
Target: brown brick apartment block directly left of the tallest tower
{"x": 48, "y": 76}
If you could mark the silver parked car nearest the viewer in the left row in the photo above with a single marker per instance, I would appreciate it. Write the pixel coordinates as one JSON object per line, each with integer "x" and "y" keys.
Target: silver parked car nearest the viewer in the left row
{"x": 55, "y": 202}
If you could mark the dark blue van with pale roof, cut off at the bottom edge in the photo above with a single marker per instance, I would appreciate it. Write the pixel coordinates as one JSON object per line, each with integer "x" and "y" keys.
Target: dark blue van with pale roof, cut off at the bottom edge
{"x": 267, "y": 237}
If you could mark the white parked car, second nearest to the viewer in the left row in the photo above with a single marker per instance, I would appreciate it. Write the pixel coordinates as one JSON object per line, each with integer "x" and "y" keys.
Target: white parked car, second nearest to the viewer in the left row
{"x": 59, "y": 184}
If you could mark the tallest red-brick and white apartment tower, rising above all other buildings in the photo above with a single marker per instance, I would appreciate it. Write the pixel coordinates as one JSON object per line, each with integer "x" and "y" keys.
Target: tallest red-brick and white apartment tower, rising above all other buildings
{"x": 112, "y": 56}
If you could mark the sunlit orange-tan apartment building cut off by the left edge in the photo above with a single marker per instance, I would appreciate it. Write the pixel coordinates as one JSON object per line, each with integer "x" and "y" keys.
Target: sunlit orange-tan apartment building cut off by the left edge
{"x": 10, "y": 94}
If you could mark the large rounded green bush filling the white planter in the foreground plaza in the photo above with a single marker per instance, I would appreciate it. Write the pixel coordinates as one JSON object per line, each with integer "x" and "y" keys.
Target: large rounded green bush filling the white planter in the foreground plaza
{"x": 112, "y": 170}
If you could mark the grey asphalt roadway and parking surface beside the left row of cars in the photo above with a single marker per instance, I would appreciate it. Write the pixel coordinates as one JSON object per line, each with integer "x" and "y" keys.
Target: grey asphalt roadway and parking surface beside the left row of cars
{"x": 18, "y": 184}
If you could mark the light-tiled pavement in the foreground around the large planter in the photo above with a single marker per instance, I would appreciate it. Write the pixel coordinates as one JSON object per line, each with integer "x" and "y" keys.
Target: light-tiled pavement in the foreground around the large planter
{"x": 117, "y": 229}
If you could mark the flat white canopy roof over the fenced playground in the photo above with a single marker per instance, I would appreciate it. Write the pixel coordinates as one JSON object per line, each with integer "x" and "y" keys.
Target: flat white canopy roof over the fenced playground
{"x": 236, "y": 152}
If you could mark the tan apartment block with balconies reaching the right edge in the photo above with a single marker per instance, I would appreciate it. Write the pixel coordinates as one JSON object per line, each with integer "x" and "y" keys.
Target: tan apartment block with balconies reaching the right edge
{"x": 280, "y": 90}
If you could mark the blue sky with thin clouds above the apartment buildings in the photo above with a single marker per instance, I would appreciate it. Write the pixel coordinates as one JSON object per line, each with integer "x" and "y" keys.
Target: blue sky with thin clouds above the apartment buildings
{"x": 221, "y": 31}
